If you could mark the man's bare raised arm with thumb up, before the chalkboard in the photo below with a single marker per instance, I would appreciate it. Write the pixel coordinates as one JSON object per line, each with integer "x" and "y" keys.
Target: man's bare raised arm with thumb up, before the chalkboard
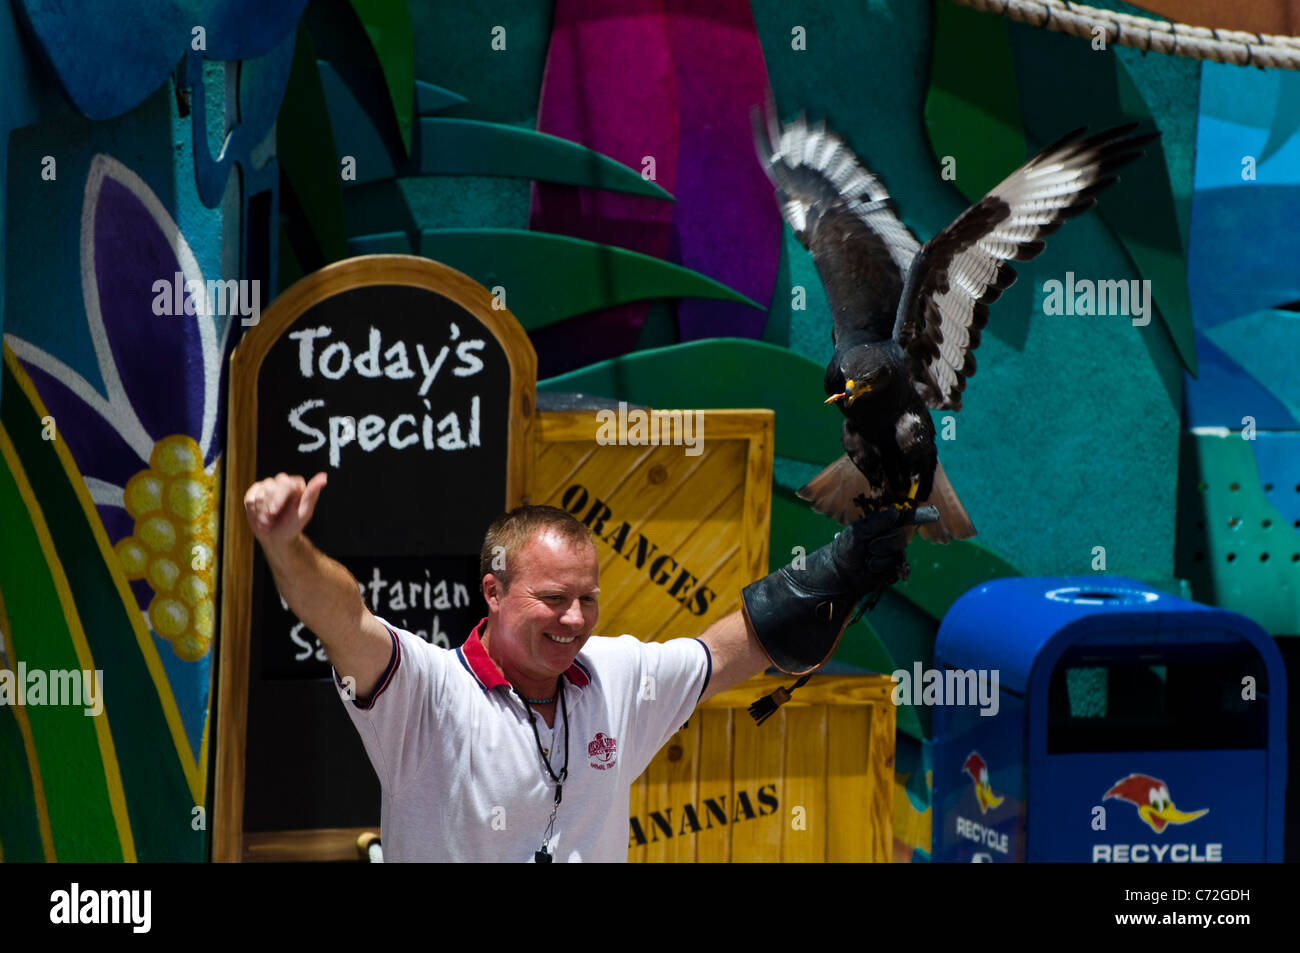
{"x": 319, "y": 591}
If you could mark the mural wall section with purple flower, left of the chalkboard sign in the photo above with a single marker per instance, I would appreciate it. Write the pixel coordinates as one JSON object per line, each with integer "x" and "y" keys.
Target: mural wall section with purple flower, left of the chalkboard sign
{"x": 136, "y": 142}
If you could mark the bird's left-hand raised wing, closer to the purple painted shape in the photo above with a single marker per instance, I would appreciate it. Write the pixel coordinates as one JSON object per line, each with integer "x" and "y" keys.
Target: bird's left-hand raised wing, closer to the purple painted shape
{"x": 843, "y": 215}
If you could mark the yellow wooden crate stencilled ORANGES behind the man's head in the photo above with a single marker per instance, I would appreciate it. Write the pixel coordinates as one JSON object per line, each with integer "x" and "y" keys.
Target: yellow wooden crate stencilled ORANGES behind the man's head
{"x": 678, "y": 535}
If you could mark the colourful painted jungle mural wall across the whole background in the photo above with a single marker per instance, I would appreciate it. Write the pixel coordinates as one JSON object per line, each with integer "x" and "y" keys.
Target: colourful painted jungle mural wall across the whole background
{"x": 599, "y": 171}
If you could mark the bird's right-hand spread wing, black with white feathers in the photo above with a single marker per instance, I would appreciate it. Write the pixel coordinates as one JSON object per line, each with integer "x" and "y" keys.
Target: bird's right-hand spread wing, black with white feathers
{"x": 964, "y": 268}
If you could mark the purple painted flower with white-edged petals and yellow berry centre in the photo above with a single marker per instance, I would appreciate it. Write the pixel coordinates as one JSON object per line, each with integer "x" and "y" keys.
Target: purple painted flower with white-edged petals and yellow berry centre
{"x": 148, "y": 440}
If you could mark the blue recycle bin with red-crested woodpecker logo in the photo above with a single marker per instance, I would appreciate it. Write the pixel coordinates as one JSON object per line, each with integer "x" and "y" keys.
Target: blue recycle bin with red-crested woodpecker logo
{"x": 1117, "y": 725}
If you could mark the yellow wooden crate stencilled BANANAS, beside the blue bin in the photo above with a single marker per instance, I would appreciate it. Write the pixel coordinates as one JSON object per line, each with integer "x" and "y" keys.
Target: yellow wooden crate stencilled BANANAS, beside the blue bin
{"x": 813, "y": 783}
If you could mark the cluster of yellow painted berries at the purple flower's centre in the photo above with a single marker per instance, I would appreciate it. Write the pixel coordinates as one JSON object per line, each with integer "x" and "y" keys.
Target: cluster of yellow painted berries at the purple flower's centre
{"x": 174, "y": 545}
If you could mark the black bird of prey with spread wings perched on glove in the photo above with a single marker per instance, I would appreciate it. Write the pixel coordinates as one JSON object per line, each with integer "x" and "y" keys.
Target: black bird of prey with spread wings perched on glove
{"x": 908, "y": 317}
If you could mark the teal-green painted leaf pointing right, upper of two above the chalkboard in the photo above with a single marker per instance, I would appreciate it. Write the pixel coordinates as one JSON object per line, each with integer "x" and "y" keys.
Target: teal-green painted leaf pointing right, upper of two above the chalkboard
{"x": 471, "y": 148}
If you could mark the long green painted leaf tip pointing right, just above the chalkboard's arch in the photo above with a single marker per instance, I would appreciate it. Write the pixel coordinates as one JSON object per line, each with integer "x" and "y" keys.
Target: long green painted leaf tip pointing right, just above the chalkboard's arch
{"x": 551, "y": 278}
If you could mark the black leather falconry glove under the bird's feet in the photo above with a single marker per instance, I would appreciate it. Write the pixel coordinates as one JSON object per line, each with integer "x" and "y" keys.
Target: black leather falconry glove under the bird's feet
{"x": 800, "y": 614}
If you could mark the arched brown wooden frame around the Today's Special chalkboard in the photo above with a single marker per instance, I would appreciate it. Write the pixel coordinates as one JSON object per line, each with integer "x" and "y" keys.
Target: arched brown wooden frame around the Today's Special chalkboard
{"x": 229, "y": 842}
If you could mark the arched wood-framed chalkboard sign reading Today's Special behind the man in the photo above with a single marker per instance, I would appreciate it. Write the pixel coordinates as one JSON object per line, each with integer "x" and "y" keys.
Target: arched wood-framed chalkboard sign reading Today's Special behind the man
{"x": 414, "y": 391}
